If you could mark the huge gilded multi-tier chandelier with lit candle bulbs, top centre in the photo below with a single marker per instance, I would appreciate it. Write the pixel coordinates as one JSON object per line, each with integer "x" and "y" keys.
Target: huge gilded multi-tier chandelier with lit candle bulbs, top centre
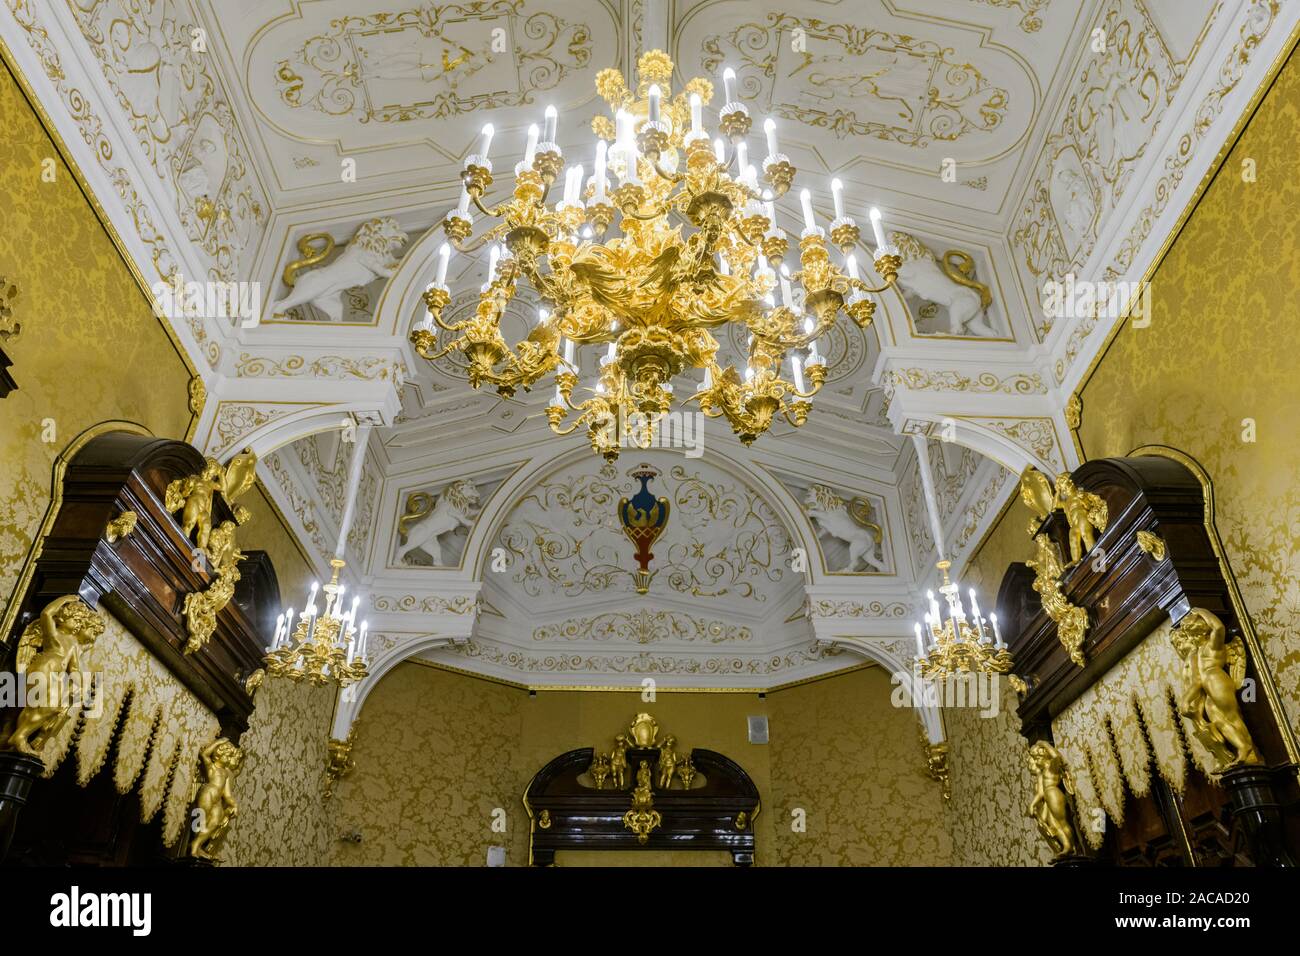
{"x": 684, "y": 244}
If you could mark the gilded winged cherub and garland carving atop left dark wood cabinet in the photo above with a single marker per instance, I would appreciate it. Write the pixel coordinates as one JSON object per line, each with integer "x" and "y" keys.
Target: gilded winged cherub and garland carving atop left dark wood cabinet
{"x": 192, "y": 499}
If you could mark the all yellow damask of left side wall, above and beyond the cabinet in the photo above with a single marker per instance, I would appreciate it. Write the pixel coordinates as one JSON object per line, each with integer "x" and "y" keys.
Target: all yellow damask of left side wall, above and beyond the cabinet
{"x": 90, "y": 351}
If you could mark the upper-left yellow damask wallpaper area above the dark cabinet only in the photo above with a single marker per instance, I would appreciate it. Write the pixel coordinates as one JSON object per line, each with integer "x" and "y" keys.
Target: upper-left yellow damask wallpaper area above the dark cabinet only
{"x": 81, "y": 292}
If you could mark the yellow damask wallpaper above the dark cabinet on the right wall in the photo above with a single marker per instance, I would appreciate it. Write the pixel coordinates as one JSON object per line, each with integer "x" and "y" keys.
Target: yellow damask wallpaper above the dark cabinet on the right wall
{"x": 1215, "y": 374}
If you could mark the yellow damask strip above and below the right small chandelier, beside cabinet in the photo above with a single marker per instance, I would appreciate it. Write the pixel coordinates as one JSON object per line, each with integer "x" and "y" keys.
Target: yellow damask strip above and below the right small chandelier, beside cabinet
{"x": 987, "y": 755}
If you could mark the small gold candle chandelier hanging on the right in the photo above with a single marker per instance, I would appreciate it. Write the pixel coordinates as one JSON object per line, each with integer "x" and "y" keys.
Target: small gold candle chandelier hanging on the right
{"x": 961, "y": 644}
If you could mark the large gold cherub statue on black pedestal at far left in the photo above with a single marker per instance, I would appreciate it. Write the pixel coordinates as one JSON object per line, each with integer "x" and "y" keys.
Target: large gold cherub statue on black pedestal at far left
{"x": 49, "y": 652}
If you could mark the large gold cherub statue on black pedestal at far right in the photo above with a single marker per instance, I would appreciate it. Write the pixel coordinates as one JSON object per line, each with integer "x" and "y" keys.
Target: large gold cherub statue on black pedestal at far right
{"x": 1214, "y": 671}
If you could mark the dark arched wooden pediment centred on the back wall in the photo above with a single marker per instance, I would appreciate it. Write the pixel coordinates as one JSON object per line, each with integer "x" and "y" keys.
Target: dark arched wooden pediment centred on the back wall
{"x": 583, "y": 817}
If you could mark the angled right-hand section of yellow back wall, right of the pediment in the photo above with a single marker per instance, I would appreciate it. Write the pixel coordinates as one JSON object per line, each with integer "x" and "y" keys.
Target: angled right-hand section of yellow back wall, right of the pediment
{"x": 853, "y": 763}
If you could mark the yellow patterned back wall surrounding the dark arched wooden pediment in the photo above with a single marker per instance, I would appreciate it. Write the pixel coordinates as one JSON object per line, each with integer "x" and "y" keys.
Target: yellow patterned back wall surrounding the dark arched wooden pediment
{"x": 437, "y": 752}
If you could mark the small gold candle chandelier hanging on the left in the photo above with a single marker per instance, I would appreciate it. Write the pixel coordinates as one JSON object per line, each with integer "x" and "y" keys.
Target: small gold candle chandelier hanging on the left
{"x": 324, "y": 647}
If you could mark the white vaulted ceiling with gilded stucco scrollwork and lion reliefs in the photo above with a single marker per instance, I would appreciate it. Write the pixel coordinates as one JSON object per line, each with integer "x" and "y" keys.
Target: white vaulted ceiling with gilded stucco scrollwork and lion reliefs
{"x": 220, "y": 135}
